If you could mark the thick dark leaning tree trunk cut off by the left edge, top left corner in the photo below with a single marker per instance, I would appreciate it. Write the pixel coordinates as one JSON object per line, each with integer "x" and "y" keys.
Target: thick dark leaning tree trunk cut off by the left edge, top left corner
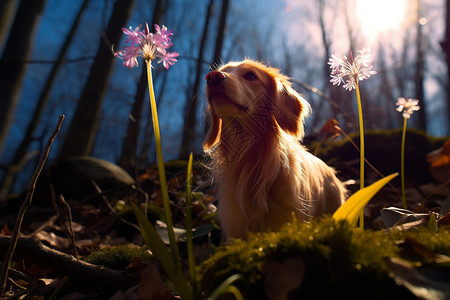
{"x": 13, "y": 65}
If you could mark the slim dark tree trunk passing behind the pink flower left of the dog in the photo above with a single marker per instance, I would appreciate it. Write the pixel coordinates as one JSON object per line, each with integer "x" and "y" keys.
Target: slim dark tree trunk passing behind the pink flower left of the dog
{"x": 128, "y": 156}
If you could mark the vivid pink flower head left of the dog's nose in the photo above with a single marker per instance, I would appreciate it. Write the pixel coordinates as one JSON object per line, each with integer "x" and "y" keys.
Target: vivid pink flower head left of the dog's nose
{"x": 147, "y": 45}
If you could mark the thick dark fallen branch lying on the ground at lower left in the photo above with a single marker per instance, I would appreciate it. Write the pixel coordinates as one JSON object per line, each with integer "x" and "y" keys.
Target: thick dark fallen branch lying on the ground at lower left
{"x": 32, "y": 250}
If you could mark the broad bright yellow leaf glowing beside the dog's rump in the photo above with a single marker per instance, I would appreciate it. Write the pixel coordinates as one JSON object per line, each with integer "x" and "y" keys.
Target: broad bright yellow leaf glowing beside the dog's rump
{"x": 352, "y": 207}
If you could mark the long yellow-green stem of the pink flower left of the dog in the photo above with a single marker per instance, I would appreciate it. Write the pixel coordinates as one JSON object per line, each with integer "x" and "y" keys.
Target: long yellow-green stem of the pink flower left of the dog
{"x": 161, "y": 170}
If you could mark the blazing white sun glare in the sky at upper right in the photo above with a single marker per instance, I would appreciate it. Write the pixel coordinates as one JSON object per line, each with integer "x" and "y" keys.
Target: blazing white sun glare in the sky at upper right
{"x": 380, "y": 16}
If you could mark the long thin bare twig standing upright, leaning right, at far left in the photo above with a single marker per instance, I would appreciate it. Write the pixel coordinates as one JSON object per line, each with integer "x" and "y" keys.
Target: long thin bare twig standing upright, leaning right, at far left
{"x": 25, "y": 205}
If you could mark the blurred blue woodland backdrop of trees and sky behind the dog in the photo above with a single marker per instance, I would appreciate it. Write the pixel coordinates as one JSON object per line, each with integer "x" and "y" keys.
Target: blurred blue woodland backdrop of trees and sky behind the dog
{"x": 56, "y": 58}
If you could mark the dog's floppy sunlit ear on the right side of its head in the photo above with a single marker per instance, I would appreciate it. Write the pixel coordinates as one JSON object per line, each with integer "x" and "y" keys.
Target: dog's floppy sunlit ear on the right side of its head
{"x": 290, "y": 109}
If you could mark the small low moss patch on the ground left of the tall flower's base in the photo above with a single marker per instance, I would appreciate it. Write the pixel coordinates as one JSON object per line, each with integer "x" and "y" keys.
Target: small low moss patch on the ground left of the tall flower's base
{"x": 118, "y": 257}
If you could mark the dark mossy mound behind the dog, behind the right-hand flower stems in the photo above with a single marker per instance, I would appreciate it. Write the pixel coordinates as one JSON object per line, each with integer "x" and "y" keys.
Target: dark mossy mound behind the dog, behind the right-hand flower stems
{"x": 383, "y": 150}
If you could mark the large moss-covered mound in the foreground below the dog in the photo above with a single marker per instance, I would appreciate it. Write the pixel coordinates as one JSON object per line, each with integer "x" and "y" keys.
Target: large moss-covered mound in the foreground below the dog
{"x": 332, "y": 259}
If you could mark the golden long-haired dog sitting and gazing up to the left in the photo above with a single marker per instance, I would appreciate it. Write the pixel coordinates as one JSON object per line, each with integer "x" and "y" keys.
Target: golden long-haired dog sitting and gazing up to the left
{"x": 264, "y": 175}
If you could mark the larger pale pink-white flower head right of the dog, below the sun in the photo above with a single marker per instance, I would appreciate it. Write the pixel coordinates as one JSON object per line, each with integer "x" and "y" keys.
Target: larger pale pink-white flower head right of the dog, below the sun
{"x": 349, "y": 72}
